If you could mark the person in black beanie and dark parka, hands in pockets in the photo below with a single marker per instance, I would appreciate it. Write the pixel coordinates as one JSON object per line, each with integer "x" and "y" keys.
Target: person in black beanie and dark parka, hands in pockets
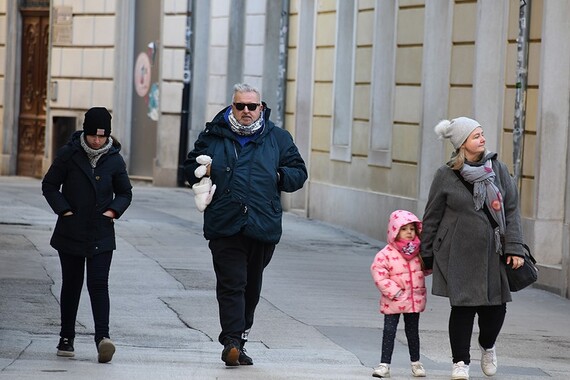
{"x": 88, "y": 187}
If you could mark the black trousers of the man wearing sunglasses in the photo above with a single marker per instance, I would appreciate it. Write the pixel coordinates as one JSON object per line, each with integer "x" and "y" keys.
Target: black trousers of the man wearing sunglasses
{"x": 239, "y": 262}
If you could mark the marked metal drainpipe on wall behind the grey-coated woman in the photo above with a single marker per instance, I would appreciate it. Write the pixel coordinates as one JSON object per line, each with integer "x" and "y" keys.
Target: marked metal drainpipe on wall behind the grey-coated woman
{"x": 521, "y": 86}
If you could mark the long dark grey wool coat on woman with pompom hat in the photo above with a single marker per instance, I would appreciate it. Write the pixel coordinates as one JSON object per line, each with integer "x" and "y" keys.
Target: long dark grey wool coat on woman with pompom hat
{"x": 460, "y": 241}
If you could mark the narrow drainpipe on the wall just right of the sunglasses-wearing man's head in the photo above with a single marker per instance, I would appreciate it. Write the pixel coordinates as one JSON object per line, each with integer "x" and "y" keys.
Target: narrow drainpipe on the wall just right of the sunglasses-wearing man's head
{"x": 282, "y": 73}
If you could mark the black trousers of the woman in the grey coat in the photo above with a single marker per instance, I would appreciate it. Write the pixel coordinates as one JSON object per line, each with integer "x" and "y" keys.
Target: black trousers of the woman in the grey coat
{"x": 461, "y": 321}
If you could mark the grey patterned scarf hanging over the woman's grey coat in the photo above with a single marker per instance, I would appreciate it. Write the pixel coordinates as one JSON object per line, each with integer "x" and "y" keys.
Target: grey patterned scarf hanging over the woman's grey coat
{"x": 485, "y": 191}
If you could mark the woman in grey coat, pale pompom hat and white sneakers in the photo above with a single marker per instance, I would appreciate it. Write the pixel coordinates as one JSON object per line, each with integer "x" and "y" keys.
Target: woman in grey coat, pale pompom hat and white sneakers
{"x": 472, "y": 229}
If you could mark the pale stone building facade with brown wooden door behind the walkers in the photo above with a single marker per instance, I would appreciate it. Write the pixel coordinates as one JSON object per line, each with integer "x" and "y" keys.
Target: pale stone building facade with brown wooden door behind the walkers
{"x": 360, "y": 85}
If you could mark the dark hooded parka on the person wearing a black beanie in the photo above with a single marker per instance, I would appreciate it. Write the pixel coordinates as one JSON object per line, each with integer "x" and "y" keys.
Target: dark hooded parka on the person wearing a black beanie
{"x": 71, "y": 184}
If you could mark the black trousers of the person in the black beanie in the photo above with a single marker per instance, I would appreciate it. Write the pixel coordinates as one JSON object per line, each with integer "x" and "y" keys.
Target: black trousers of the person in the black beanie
{"x": 73, "y": 270}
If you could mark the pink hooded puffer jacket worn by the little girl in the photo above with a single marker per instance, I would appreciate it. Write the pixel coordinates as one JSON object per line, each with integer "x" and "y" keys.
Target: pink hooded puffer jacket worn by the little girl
{"x": 392, "y": 272}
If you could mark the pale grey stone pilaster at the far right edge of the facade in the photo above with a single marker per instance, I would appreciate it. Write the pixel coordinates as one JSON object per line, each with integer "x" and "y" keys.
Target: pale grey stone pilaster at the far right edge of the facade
{"x": 551, "y": 156}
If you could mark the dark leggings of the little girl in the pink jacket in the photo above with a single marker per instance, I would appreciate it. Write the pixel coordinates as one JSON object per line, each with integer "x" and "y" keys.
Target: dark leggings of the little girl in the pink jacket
{"x": 411, "y": 321}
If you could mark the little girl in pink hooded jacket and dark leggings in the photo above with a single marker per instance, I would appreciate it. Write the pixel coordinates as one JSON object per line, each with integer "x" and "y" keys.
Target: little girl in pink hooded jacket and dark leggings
{"x": 398, "y": 274}
